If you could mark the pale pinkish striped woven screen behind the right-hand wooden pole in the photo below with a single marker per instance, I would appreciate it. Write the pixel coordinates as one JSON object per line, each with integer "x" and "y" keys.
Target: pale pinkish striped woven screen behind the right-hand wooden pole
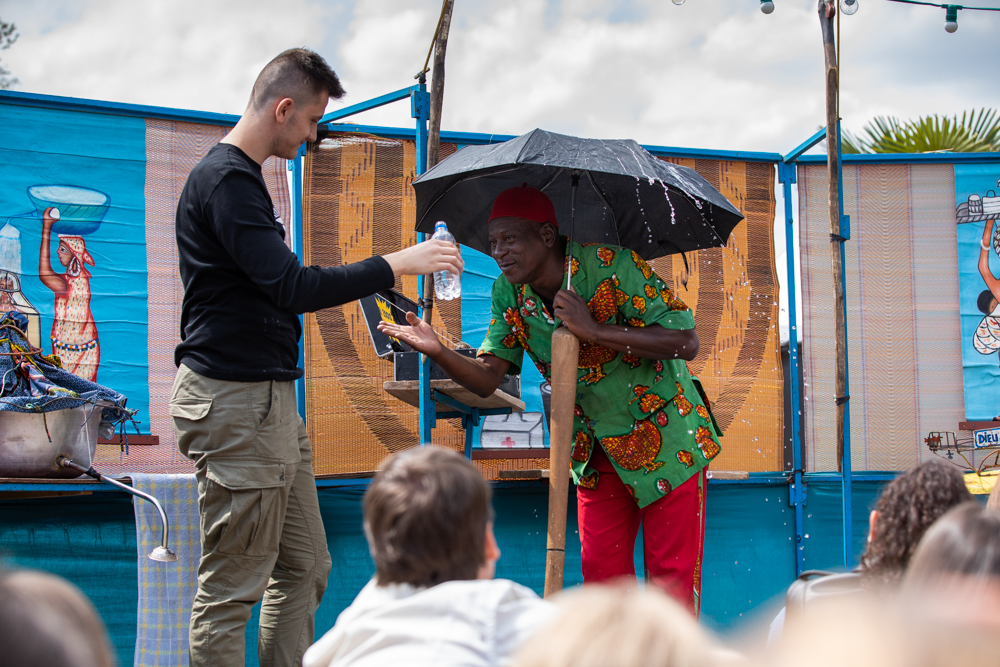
{"x": 904, "y": 344}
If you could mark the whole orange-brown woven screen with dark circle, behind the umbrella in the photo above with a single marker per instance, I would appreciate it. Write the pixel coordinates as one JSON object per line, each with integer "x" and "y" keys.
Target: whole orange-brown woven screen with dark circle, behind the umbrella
{"x": 358, "y": 201}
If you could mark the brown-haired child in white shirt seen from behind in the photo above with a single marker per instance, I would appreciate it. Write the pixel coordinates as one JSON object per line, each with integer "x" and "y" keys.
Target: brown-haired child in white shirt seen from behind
{"x": 428, "y": 519}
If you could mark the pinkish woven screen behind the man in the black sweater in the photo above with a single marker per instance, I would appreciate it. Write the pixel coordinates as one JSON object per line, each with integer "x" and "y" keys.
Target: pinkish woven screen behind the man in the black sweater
{"x": 172, "y": 151}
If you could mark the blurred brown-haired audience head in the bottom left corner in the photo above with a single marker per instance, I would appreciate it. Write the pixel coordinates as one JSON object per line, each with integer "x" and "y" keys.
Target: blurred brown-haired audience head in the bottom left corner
{"x": 45, "y": 620}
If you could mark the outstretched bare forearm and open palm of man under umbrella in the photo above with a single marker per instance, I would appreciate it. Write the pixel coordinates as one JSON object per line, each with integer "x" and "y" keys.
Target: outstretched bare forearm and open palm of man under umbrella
{"x": 481, "y": 376}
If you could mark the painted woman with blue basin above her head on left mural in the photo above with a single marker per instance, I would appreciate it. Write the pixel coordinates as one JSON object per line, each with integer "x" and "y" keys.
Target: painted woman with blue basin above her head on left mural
{"x": 71, "y": 212}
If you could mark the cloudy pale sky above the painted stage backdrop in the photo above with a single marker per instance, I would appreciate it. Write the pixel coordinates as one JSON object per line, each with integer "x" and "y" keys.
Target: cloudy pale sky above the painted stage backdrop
{"x": 715, "y": 74}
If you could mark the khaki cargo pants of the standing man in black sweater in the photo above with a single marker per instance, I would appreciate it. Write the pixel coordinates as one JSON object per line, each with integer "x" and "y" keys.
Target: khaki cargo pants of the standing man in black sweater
{"x": 261, "y": 531}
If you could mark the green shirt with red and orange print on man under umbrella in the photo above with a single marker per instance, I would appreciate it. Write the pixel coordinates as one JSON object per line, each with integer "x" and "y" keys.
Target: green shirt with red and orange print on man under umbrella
{"x": 649, "y": 416}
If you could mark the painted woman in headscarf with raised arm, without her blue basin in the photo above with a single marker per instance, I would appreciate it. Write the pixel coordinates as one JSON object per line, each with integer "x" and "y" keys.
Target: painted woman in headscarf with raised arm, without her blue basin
{"x": 74, "y": 332}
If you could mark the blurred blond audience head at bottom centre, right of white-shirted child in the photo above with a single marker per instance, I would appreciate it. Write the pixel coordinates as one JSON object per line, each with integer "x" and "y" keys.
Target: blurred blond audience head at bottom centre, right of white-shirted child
{"x": 607, "y": 626}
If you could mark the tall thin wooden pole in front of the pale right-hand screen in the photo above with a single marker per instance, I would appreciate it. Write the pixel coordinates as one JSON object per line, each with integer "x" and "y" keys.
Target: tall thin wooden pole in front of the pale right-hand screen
{"x": 827, "y": 10}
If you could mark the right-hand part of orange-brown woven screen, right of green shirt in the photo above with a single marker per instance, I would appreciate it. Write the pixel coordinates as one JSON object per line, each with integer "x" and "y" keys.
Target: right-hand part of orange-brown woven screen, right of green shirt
{"x": 734, "y": 294}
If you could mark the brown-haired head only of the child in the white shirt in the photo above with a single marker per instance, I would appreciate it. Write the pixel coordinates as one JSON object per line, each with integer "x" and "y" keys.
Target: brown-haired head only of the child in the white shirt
{"x": 428, "y": 519}
